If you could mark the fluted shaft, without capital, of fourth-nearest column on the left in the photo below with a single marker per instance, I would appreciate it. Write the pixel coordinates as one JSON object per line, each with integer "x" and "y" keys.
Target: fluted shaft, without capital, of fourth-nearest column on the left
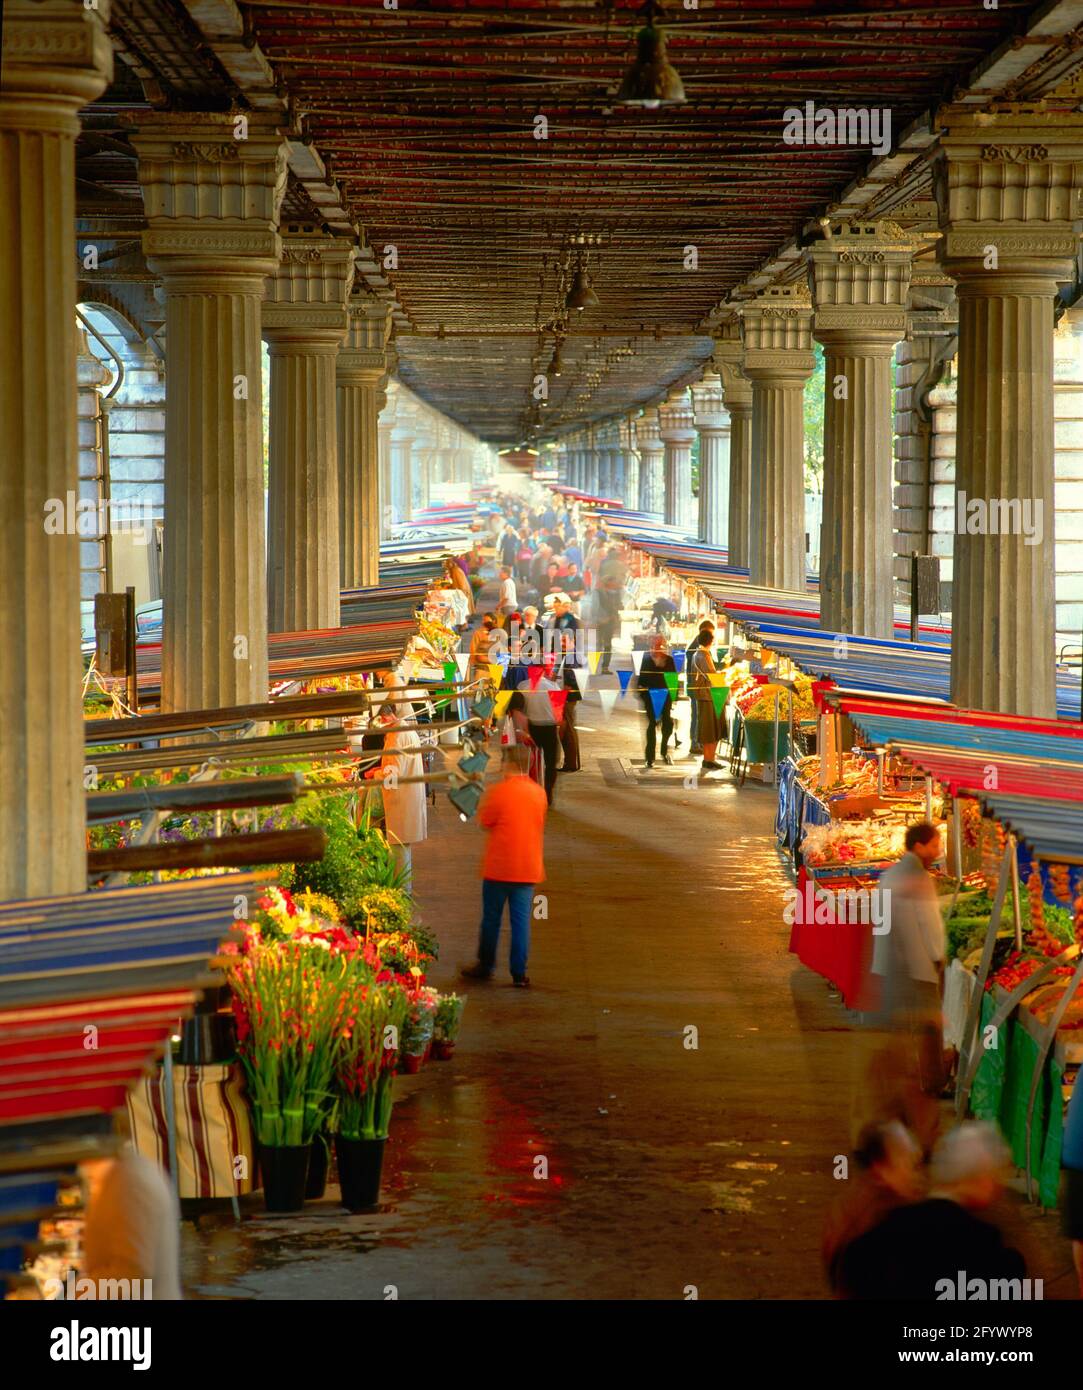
{"x": 358, "y": 400}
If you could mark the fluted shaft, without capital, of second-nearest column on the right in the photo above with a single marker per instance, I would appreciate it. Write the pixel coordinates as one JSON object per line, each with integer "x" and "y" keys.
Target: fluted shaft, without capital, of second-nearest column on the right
{"x": 856, "y": 541}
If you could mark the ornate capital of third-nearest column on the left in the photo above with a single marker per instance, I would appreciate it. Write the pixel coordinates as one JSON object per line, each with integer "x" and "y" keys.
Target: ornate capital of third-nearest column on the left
{"x": 307, "y": 297}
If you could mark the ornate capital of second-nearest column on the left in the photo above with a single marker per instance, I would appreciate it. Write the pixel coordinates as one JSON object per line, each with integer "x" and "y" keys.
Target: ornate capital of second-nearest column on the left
{"x": 212, "y": 201}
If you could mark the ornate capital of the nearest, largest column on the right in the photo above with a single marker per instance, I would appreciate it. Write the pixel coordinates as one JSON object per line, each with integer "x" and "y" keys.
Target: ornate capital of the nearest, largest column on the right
{"x": 1009, "y": 181}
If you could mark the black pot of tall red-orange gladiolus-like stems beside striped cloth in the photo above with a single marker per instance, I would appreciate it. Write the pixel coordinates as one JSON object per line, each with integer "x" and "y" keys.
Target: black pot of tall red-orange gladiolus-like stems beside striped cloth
{"x": 288, "y": 999}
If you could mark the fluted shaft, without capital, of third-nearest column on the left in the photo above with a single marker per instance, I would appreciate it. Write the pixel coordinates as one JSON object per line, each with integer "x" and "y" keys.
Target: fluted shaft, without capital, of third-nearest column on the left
{"x": 304, "y": 553}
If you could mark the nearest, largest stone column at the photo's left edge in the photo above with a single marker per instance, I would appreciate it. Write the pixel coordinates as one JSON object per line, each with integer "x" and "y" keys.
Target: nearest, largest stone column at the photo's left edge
{"x": 56, "y": 59}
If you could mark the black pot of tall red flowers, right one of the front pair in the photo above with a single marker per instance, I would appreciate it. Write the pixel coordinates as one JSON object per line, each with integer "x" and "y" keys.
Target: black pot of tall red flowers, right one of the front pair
{"x": 372, "y": 1033}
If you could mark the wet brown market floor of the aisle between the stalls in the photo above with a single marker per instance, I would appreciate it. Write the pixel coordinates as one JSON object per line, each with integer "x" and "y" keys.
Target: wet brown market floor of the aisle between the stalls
{"x": 658, "y": 1117}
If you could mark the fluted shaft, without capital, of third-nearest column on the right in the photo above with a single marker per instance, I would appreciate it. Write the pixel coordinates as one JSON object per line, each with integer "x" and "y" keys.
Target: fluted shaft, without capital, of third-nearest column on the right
{"x": 778, "y": 494}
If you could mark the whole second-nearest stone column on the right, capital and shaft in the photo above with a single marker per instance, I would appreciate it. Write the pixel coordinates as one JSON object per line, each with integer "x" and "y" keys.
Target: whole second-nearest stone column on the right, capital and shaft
{"x": 860, "y": 280}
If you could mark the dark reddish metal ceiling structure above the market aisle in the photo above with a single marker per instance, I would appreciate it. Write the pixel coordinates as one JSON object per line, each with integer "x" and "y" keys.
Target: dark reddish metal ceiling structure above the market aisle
{"x": 484, "y": 142}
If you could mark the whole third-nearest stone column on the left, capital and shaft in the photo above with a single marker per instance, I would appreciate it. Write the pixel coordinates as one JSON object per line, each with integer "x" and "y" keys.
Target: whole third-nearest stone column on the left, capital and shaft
{"x": 305, "y": 322}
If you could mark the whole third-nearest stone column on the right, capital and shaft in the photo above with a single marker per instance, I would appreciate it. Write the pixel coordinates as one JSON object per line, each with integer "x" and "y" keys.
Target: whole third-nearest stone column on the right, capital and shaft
{"x": 778, "y": 340}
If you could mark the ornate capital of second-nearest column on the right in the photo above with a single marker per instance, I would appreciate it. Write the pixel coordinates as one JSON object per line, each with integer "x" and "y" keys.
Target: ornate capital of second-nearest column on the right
{"x": 860, "y": 280}
